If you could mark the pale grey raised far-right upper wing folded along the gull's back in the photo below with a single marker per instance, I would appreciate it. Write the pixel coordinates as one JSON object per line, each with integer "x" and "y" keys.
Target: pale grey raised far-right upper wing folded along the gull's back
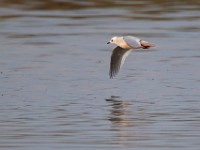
{"x": 132, "y": 41}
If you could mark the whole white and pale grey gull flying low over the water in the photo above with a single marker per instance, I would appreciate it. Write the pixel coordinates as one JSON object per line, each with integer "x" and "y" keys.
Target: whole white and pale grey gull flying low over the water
{"x": 125, "y": 44}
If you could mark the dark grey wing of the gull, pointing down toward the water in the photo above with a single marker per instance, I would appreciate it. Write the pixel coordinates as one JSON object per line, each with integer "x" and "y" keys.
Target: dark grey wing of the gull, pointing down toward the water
{"x": 117, "y": 60}
